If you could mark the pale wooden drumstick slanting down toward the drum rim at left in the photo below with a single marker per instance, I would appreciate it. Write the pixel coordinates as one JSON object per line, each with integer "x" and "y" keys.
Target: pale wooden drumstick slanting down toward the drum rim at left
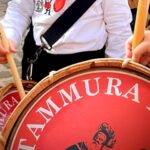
{"x": 11, "y": 63}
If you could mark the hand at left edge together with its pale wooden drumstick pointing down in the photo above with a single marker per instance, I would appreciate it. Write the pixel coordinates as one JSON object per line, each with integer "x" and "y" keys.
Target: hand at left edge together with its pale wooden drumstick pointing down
{"x": 6, "y": 49}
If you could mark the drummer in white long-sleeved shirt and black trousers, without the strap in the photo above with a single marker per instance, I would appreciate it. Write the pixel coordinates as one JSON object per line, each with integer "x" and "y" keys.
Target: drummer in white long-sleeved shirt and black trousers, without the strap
{"x": 104, "y": 26}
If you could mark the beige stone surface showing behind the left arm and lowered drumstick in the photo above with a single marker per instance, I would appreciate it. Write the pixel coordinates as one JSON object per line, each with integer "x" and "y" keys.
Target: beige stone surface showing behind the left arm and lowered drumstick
{"x": 5, "y": 73}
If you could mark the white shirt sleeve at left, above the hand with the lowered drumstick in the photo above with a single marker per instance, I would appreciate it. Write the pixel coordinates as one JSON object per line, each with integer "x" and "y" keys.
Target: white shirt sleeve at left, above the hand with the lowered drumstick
{"x": 17, "y": 19}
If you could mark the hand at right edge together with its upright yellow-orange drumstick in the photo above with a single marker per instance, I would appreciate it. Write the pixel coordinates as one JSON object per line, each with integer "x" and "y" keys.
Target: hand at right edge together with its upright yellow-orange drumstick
{"x": 138, "y": 46}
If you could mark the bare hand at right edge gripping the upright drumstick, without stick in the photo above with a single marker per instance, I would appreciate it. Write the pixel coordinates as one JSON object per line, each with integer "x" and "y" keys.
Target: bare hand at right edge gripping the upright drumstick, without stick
{"x": 141, "y": 53}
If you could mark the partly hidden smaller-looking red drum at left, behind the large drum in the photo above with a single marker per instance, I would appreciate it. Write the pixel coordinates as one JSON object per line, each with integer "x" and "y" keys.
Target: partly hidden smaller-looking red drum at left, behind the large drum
{"x": 9, "y": 99}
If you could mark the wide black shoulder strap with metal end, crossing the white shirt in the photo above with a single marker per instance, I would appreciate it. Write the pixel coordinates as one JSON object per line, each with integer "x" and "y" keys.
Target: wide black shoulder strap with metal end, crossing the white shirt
{"x": 65, "y": 21}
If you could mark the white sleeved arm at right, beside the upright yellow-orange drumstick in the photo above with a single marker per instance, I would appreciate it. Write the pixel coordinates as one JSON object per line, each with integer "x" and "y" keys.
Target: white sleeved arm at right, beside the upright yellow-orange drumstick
{"x": 117, "y": 16}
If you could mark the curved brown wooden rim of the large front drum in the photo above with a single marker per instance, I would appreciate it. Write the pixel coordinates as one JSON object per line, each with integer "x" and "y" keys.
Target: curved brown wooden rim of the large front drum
{"x": 56, "y": 75}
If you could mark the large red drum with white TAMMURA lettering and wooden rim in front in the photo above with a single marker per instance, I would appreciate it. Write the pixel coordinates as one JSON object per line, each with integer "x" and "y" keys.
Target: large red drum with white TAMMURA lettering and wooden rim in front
{"x": 94, "y": 104}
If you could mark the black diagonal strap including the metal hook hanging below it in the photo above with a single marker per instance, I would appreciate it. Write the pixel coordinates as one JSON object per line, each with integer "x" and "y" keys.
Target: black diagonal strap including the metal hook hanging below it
{"x": 58, "y": 28}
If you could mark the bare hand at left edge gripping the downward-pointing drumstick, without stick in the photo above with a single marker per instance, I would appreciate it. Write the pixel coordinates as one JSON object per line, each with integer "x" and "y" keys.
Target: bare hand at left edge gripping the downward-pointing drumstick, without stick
{"x": 3, "y": 51}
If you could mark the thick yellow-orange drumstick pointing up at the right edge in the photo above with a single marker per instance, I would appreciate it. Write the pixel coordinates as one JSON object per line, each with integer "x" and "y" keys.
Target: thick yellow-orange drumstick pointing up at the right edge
{"x": 140, "y": 24}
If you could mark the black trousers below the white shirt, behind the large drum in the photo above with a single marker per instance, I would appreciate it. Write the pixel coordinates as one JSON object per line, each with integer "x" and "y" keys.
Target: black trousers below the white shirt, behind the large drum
{"x": 50, "y": 62}
